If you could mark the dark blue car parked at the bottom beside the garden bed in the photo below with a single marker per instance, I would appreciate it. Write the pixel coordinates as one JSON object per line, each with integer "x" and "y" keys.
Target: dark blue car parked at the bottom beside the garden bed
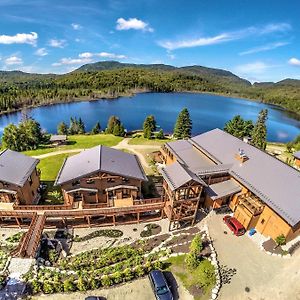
{"x": 160, "y": 286}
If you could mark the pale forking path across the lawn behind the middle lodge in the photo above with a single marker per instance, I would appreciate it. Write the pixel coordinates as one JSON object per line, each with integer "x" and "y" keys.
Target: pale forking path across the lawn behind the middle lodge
{"x": 122, "y": 145}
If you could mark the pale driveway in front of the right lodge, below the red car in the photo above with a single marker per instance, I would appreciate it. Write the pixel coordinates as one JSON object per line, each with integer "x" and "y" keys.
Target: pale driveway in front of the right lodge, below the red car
{"x": 264, "y": 276}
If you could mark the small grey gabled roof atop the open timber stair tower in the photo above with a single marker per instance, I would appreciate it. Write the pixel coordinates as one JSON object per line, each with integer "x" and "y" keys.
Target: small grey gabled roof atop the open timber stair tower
{"x": 177, "y": 175}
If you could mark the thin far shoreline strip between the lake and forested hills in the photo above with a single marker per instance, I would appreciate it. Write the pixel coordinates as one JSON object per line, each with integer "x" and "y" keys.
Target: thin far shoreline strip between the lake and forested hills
{"x": 133, "y": 93}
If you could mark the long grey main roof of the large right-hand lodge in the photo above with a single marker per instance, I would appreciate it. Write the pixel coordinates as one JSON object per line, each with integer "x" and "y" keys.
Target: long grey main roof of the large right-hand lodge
{"x": 274, "y": 182}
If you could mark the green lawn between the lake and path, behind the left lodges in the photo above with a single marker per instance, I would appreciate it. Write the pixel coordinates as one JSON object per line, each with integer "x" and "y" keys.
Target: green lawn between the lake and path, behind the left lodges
{"x": 79, "y": 142}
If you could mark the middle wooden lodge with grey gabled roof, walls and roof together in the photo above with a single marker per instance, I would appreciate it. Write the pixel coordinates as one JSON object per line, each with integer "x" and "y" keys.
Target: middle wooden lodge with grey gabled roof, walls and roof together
{"x": 102, "y": 176}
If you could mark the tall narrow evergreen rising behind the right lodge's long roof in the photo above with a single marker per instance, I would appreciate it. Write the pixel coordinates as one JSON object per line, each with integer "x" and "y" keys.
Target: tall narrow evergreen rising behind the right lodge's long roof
{"x": 259, "y": 134}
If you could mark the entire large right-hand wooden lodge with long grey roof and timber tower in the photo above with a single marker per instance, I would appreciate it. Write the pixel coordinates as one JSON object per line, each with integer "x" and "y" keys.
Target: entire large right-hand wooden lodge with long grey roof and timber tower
{"x": 261, "y": 191}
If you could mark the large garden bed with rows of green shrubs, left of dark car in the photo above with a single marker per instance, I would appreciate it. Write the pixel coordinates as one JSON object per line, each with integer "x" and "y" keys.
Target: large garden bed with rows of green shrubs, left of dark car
{"x": 94, "y": 269}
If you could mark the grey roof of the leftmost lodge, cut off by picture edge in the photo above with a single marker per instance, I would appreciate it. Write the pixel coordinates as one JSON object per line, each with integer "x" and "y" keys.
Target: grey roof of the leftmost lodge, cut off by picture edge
{"x": 15, "y": 167}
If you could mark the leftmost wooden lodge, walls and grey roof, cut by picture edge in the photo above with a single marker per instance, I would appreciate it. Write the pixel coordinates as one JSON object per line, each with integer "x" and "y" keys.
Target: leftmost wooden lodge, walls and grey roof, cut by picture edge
{"x": 19, "y": 179}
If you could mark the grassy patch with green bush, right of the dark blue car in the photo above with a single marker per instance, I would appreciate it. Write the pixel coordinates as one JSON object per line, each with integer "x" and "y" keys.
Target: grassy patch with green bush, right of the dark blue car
{"x": 203, "y": 276}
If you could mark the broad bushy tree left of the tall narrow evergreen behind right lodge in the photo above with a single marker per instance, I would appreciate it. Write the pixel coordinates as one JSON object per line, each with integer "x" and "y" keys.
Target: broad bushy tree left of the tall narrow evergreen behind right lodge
{"x": 239, "y": 127}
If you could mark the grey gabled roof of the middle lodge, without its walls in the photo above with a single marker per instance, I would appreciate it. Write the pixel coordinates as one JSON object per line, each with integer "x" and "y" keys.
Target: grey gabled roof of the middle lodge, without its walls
{"x": 100, "y": 159}
